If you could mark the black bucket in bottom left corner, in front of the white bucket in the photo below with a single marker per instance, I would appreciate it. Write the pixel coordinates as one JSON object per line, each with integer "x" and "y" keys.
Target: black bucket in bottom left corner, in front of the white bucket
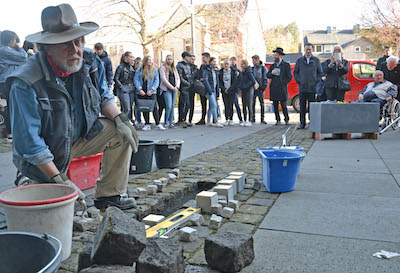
{"x": 23, "y": 252}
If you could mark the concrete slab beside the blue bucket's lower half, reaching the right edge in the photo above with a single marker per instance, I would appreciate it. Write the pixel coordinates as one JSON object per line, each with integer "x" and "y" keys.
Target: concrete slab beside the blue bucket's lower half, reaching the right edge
{"x": 330, "y": 181}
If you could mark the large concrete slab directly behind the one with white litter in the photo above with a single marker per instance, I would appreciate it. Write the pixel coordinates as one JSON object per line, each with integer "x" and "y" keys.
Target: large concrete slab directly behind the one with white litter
{"x": 342, "y": 215}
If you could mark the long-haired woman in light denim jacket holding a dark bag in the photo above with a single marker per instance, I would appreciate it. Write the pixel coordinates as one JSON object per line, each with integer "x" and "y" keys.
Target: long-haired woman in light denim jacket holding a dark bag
{"x": 146, "y": 82}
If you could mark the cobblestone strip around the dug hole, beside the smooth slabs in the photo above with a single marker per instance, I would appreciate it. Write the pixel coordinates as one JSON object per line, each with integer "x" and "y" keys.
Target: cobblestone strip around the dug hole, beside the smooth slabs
{"x": 201, "y": 172}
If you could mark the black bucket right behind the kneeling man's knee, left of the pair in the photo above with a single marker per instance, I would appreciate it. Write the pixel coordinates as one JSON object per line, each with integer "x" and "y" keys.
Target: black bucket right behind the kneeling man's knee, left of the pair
{"x": 142, "y": 161}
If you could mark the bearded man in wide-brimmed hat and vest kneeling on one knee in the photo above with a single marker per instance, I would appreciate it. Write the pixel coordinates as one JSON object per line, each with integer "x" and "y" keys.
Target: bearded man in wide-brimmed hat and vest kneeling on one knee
{"x": 56, "y": 98}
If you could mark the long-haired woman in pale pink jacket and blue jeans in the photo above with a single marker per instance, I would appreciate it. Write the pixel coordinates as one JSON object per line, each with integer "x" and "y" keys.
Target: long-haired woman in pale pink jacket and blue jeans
{"x": 170, "y": 83}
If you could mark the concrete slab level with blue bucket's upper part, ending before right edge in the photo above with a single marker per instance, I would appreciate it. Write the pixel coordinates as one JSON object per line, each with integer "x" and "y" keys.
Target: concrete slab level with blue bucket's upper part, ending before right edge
{"x": 363, "y": 165}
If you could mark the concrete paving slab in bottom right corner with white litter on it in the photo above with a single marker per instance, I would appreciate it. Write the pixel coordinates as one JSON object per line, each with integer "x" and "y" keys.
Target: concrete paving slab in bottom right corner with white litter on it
{"x": 287, "y": 252}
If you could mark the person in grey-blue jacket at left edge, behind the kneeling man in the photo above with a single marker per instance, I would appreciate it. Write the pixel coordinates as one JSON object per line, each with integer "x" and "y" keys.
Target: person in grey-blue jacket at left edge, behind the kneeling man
{"x": 11, "y": 57}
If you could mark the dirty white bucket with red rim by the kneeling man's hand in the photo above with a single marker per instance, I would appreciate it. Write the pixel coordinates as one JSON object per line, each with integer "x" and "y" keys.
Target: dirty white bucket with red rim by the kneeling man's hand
{"x": 42, "y": 208}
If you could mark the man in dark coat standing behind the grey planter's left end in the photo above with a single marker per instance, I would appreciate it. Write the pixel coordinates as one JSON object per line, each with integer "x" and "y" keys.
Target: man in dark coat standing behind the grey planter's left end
{"x": 307, "y": 73}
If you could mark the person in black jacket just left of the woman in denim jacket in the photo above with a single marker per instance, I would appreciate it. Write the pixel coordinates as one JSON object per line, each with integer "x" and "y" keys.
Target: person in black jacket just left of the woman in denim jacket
{"x": 124, "y": 87}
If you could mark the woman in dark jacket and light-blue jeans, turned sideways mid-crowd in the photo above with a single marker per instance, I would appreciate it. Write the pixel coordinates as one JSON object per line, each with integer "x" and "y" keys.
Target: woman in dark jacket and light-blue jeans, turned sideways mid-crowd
{"x": 211, "y": 84}
